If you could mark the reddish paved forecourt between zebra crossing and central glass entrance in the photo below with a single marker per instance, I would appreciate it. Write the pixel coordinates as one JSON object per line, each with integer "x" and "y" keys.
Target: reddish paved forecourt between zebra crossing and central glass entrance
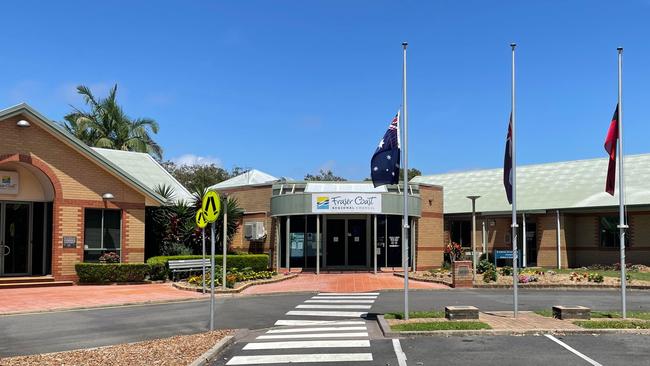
{"x": 346, "y": 282}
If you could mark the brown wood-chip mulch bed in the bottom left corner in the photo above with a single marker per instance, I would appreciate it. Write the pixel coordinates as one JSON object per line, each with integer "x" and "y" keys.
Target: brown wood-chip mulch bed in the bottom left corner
{"x": 178, "y": 350}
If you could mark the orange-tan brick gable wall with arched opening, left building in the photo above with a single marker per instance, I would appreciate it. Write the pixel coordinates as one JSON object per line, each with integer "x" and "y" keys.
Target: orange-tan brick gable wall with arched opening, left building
{"x": 78, "y": 183}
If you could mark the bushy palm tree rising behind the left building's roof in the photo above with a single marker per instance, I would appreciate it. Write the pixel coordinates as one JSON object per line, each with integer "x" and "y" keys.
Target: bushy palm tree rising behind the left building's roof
{"x": 106, "y": 125}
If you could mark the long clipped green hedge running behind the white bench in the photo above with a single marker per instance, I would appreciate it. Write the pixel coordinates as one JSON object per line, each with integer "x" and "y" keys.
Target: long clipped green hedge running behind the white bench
{"x": 257, "y": 262}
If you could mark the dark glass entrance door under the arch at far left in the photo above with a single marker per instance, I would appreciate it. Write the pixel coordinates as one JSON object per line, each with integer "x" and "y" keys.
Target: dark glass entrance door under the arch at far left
{"x": 14, "y": 238}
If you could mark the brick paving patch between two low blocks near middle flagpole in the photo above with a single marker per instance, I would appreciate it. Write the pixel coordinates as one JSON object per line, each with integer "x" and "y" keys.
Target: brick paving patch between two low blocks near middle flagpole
{"x": 526, "y": 320}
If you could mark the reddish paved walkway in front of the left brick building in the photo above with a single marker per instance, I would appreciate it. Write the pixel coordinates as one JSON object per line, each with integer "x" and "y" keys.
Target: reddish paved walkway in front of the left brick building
{"x": 22, "y": 300}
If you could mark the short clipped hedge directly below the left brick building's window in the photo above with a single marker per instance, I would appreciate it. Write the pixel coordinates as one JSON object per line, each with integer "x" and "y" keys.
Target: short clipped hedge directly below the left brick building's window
{"x": 111, "y": 272}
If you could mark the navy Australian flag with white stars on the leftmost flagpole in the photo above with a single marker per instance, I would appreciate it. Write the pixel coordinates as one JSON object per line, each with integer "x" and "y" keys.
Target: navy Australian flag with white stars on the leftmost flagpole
{"x": 384, "y": 165}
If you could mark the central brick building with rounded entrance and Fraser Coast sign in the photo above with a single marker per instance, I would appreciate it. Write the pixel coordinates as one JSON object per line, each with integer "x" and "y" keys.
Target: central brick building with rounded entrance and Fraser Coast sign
{"x": 349, "y": 224}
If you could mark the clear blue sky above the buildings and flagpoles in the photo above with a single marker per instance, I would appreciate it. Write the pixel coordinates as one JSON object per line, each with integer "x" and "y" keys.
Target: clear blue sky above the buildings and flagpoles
{"x": 290, "y": 87}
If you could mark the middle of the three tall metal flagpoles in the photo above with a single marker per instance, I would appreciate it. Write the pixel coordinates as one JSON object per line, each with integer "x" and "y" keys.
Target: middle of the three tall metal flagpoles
{"x": 515, "y": 254}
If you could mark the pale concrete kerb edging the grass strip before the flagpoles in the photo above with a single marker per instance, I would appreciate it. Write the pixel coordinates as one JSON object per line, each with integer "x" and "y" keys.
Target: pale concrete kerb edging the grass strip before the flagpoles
{"x": 389, "y": 333}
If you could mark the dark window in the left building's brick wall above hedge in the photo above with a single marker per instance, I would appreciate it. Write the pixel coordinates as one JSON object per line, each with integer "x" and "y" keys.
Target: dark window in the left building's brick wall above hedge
{"x": 102, "y": 233}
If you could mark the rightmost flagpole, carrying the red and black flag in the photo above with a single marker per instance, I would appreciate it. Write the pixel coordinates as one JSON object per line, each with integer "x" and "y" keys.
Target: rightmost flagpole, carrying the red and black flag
{"x": 621, "y": 189}
